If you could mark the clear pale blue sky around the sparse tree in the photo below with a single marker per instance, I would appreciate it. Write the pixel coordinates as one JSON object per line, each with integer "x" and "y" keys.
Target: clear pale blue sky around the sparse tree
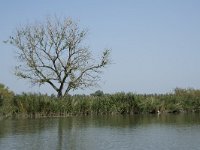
{"x": 155, "y": 43}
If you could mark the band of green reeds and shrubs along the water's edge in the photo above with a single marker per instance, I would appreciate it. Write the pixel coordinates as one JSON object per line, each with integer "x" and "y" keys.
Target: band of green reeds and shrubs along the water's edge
{"x": 98, "y": 103}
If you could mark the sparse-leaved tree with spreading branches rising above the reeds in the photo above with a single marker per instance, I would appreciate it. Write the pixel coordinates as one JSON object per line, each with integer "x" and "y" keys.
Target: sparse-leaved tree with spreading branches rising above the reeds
{"x": 52, "y": 53}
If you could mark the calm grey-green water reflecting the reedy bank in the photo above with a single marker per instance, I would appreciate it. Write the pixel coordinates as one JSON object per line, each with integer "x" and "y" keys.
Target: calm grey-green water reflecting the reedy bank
{"x": 152, "y": 132}
